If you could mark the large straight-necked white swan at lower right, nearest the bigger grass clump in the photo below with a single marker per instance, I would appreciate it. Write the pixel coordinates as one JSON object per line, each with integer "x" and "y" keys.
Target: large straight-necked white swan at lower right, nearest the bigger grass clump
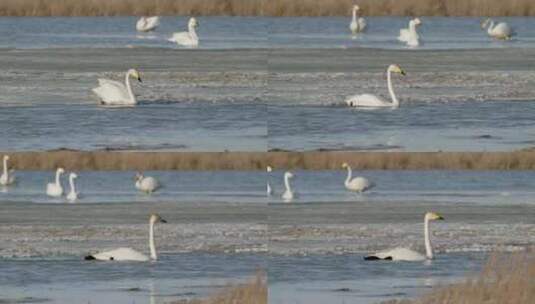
{"x": 404, "y": 254}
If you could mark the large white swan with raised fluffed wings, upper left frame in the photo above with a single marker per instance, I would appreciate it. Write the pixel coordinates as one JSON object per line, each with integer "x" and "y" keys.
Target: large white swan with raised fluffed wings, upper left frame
{"x": 113, "y": 92}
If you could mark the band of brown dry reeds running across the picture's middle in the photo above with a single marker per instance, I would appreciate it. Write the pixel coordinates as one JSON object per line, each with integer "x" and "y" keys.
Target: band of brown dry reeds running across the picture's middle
{"x": 101, "y": 160}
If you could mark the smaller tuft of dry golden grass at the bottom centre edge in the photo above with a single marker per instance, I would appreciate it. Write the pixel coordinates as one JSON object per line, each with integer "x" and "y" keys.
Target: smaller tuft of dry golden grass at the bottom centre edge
{"x": 253, "y": 292}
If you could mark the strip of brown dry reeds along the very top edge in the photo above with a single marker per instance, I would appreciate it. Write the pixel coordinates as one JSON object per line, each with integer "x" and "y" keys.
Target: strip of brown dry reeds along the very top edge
{"x": 266, "y": 7}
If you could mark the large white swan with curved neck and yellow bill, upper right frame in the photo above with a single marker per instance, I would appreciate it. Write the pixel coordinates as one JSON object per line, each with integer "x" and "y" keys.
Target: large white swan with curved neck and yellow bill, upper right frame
{"x": 372, "y": 101}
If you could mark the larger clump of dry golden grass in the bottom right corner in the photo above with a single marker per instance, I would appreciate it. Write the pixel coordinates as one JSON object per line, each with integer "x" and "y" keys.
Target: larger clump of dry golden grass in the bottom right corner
{"x": 504, "y": 279}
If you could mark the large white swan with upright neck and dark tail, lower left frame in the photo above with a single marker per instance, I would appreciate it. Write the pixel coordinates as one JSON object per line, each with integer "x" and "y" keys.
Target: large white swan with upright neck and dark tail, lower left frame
{"x": 129, "y": 254}
